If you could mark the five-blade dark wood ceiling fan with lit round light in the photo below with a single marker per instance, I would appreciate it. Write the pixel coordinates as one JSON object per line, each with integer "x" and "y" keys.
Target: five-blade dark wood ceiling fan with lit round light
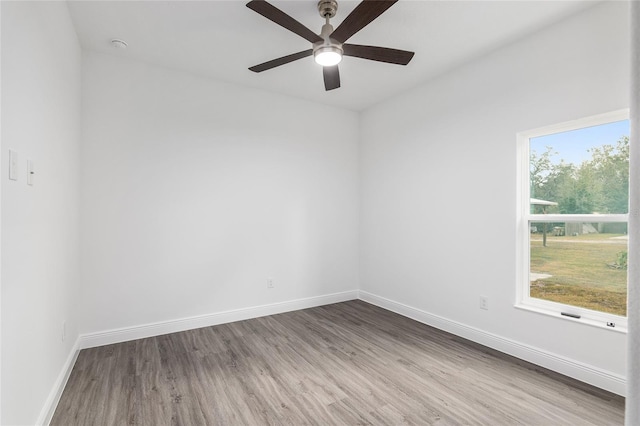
{"x": 329, "y": 46}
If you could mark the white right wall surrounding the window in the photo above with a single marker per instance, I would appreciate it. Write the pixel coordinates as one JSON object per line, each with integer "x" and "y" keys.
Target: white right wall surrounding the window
{"x": 438, "y": 171}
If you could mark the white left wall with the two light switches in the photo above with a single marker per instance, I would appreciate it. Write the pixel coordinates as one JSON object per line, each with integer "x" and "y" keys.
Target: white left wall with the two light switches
{"x": 41, "y": 71}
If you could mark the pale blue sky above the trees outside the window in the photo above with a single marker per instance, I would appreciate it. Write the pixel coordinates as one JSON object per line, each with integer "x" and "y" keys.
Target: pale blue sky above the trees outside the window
{"x": 572, "y": 146}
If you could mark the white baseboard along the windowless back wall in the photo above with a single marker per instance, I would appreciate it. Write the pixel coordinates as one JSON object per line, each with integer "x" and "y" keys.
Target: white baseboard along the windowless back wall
{"x": 172, "y": 326}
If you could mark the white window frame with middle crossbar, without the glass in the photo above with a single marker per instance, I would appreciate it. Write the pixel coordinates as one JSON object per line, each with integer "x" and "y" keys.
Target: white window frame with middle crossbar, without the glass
{"x": 524, "y": 217}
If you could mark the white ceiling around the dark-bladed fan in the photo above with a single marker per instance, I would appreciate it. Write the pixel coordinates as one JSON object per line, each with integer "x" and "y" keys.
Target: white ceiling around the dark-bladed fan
{"x": 221, "y": 39}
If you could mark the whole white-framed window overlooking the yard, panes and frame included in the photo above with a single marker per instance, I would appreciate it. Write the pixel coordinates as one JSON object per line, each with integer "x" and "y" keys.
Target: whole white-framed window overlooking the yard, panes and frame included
{"x": 573, "y": 213}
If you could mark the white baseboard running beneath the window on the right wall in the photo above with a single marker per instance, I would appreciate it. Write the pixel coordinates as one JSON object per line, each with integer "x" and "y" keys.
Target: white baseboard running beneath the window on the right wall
{"x": 586, "y": 373}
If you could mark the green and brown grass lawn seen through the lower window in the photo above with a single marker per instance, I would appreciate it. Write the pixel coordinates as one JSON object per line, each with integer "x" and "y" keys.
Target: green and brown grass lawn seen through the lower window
{"x": 581, "y": 275}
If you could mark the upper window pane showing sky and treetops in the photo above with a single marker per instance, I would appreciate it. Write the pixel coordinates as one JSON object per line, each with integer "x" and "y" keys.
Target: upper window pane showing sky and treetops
{"x": 581, "y": 171}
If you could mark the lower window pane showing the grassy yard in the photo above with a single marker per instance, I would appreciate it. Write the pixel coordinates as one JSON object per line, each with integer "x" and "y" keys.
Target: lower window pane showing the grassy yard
{"x": 580, "y": 264}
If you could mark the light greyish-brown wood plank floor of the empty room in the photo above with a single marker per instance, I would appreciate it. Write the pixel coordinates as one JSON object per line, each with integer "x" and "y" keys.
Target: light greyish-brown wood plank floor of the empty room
{"x": 344, "y": 364}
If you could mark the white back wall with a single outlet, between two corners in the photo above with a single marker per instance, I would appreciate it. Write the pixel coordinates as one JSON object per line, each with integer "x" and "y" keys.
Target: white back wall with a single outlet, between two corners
{"x": 195, "y": 191}
